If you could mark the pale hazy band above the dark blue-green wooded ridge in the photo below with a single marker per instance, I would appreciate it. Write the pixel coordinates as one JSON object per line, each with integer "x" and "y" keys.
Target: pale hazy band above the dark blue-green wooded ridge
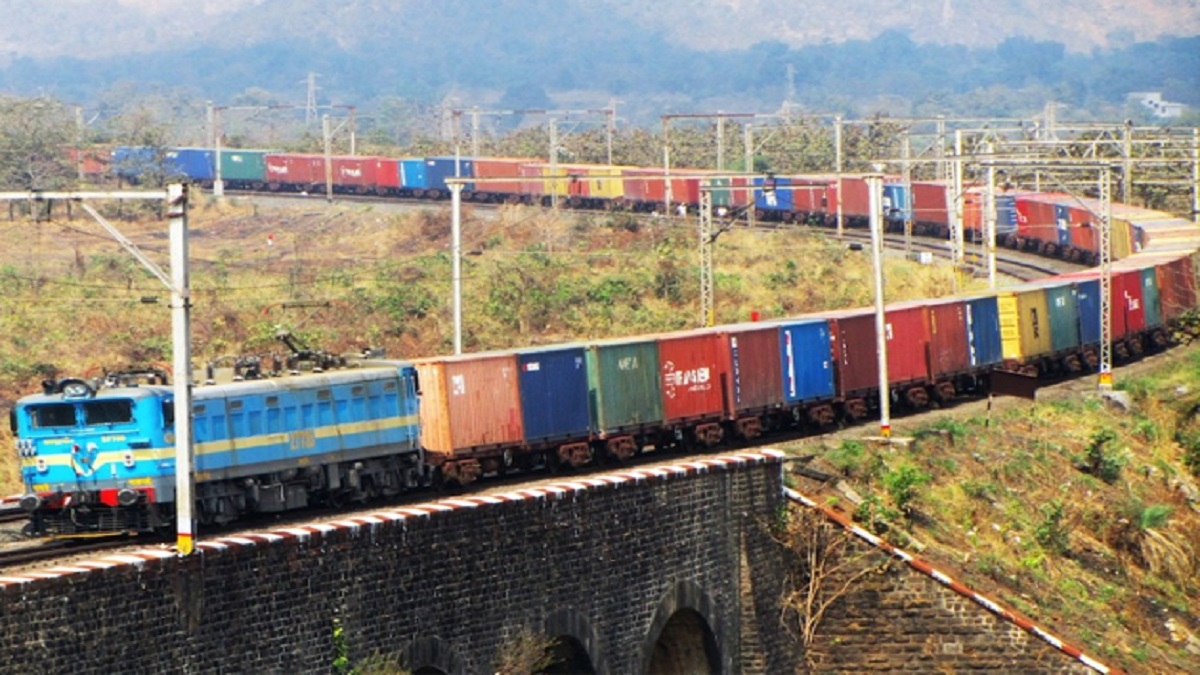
{"x": 83, "y": 28}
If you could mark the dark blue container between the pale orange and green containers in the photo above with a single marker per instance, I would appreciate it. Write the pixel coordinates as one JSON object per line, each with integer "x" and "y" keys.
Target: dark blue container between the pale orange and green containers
{"x": 554, "y": 386}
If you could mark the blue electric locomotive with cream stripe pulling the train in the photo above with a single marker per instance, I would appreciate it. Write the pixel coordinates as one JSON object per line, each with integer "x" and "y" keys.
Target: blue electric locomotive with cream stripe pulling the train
{"x": 99, "y": 457}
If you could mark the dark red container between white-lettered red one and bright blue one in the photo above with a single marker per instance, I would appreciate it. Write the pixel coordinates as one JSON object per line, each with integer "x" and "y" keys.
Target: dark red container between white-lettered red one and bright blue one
{"x": 751, "y": 357}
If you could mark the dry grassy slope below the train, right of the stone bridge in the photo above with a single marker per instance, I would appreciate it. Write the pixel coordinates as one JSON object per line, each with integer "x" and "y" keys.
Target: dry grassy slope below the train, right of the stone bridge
{"x": 1072, "y": 511}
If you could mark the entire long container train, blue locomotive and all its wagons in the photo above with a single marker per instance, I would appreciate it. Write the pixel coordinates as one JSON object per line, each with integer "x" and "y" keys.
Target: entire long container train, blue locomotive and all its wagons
{"x": 99, "y": 456}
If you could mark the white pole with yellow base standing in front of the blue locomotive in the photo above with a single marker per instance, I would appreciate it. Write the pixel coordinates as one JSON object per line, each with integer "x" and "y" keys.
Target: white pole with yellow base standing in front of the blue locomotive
{"x": 181, "y": 306}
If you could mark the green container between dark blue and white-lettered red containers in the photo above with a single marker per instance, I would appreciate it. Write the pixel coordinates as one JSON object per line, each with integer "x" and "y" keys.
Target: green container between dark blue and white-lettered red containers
{"x": 625, "y": 385}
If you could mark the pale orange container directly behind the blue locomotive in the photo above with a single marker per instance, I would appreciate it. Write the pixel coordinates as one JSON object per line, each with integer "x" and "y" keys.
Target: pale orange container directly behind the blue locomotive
{"x": 470, "y": 403}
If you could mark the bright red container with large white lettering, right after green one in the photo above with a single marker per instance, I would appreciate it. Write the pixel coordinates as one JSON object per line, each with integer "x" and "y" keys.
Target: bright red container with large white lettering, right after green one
{"x": 693, "y": 380}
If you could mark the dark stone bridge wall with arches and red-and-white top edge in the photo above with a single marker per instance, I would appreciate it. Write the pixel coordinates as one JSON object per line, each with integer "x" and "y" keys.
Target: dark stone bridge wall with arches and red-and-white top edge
{"x": 607, "y": 561}
